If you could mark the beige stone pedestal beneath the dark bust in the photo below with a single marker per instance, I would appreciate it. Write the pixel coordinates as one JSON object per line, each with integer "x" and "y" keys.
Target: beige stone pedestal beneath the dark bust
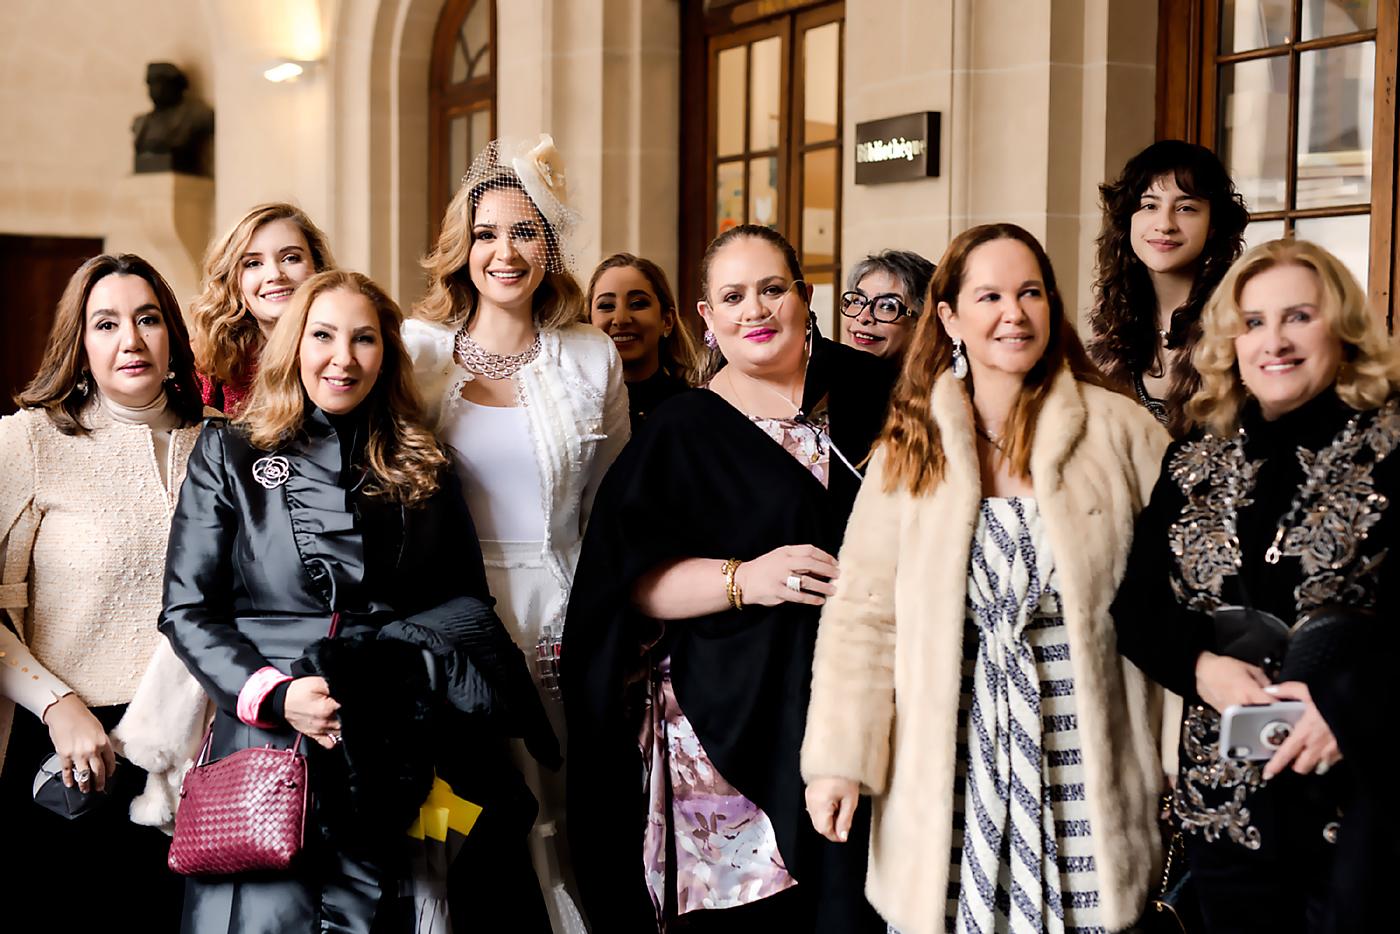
{"x": 167, "y": 219}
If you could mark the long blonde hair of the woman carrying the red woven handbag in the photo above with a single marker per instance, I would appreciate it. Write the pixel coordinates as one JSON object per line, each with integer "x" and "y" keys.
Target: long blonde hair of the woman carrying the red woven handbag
{"x": 404, "y": 459}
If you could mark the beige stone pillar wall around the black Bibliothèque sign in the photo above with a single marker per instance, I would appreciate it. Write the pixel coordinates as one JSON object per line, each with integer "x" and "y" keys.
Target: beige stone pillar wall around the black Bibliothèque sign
{"x": 1041, "y": 102}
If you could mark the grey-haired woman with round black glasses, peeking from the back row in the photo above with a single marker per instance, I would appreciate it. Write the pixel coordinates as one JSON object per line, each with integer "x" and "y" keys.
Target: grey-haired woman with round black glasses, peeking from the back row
{"x": 884, "y": 299}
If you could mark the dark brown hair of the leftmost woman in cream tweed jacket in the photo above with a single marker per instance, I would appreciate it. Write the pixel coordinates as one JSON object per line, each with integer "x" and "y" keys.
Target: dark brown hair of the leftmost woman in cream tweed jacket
{"x": 59, "y": 389}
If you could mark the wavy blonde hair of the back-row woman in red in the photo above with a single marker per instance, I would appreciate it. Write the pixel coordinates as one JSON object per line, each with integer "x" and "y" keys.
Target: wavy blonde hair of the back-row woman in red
{"x": 222, "y": 330}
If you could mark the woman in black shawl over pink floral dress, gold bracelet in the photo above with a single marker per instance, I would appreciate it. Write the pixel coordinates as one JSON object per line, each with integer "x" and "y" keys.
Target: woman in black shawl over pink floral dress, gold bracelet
{"x": 689, "y": 641}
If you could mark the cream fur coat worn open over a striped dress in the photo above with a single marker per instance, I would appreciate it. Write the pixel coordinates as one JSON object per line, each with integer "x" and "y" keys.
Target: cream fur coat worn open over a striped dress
{"x": 887, "y": 676}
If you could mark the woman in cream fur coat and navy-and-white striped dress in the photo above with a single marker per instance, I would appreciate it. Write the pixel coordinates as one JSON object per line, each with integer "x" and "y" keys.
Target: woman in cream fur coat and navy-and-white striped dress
{"x": 967, "y": 674}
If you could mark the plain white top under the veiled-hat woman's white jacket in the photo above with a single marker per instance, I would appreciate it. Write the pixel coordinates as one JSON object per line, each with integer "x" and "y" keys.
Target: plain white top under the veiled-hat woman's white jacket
{"x": 495, "y": 461}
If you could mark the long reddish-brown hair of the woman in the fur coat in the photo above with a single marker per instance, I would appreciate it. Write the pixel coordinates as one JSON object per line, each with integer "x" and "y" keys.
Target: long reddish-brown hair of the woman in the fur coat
{"x": 915, "y": 456}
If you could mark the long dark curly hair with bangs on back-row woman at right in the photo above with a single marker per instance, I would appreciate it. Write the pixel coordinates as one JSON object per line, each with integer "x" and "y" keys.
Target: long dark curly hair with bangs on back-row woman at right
{"x": 1125, "y": 309}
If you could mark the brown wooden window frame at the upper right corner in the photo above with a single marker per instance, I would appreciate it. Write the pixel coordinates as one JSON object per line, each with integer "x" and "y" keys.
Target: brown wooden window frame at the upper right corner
{"x": 1188, "y": 67}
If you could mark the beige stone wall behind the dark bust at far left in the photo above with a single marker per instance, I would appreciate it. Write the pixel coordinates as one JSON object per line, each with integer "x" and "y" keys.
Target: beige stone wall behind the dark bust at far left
{"x": 72, "y": 79}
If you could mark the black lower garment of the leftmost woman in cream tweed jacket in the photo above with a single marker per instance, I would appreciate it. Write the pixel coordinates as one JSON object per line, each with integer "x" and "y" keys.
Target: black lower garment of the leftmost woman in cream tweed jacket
{"x": 99, "y": 862}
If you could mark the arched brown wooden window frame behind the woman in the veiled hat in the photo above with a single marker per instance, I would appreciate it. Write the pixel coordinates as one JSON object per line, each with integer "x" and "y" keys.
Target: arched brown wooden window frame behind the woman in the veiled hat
{"x": 449, "y": 102}
